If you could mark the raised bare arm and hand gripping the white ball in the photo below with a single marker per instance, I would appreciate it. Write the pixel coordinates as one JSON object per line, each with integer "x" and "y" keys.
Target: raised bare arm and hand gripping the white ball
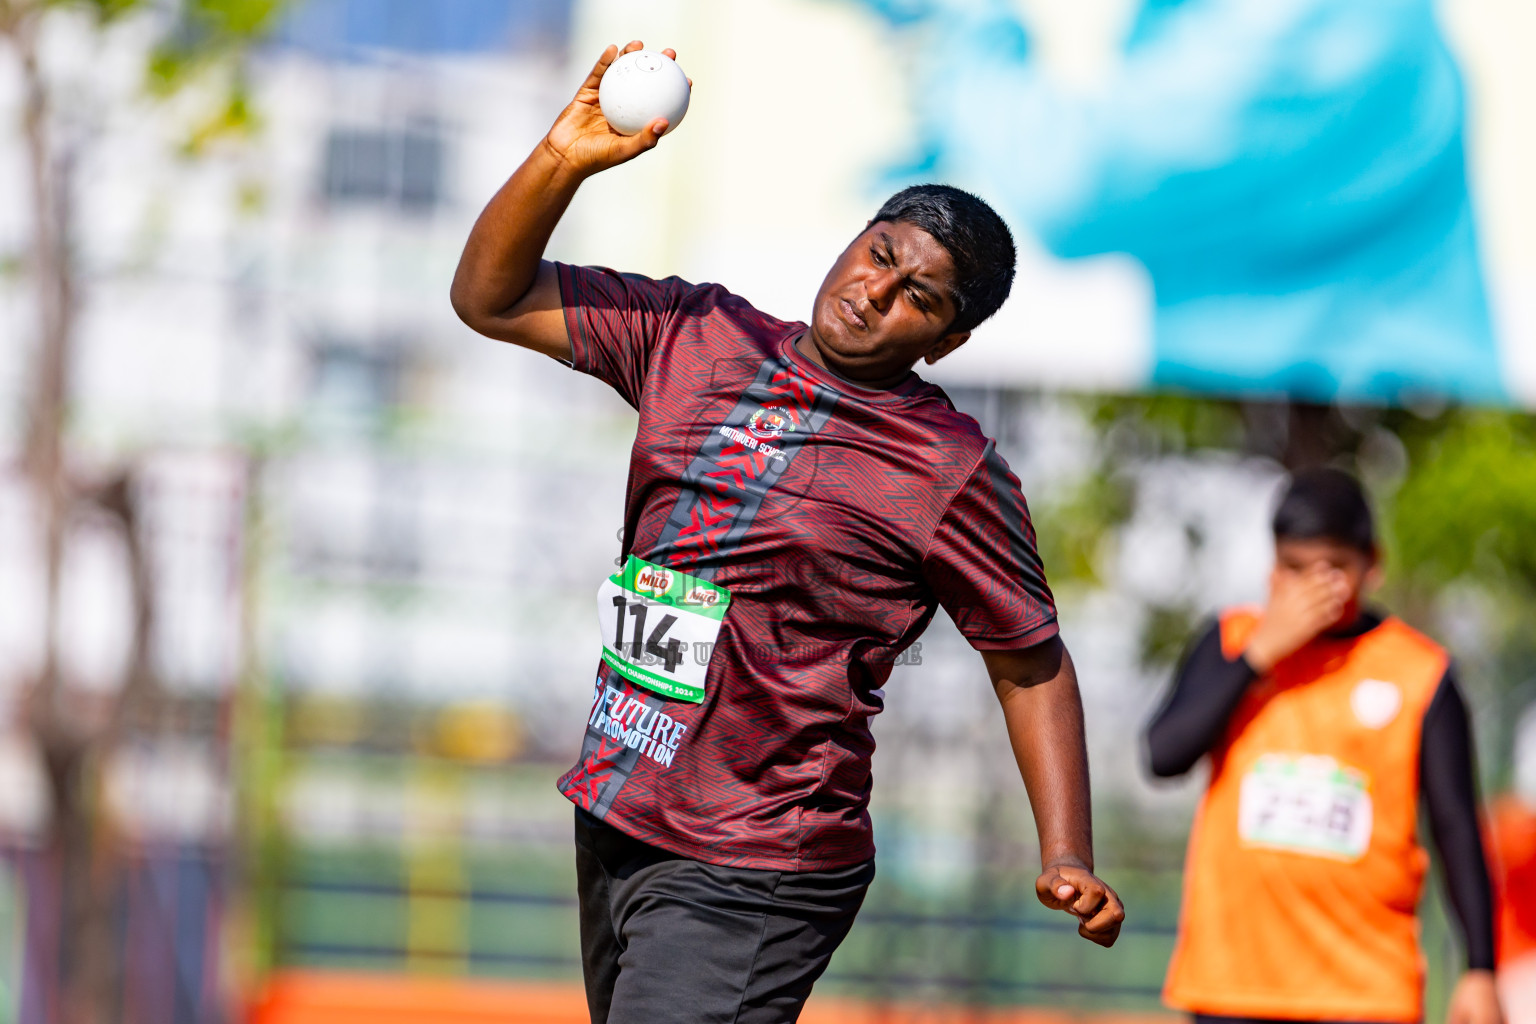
{"x": 505, "y": 288}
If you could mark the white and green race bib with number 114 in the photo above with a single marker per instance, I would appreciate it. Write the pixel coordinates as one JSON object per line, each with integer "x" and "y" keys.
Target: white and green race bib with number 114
{"x": 660, "y": 627}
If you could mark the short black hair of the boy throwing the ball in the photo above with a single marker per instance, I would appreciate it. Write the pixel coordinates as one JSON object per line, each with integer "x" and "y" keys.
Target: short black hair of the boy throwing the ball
{"x": 976, "y": 239}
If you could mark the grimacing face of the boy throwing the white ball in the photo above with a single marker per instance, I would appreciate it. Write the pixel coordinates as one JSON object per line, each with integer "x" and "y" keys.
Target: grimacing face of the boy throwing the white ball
{"x": 886, "y": 305}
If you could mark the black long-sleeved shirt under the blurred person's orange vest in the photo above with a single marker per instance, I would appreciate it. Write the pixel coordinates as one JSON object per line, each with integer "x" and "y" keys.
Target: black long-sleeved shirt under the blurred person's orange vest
{"x": 1208, "y": 690}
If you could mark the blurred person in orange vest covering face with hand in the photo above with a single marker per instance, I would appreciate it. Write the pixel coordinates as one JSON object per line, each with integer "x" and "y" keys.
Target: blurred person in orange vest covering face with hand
{"x": 1328, "y": 727}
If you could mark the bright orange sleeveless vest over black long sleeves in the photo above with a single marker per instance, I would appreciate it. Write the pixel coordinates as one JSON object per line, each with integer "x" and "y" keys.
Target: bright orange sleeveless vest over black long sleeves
{"x": 1305, "y": 867}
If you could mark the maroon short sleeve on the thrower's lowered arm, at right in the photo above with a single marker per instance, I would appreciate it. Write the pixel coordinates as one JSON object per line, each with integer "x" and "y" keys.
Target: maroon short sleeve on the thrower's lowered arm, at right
{"x": 984, "y": 566}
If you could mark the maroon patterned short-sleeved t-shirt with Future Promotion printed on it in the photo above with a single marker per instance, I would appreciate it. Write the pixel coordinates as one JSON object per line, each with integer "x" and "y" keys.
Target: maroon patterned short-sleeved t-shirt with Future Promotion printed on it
{"x": 836, "y": 543}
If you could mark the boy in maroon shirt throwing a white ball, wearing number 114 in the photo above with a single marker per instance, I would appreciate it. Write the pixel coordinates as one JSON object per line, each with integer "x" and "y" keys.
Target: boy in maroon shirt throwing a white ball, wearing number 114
{"x": 799, "y": 507}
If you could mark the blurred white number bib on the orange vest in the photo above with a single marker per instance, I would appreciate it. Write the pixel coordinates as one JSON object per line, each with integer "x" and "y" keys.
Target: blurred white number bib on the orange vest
{"x": 1306, "y": 804}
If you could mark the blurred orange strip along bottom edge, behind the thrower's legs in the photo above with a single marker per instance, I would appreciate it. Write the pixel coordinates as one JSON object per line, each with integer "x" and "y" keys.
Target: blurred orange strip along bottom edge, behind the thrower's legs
{"x": 303, "y": 997}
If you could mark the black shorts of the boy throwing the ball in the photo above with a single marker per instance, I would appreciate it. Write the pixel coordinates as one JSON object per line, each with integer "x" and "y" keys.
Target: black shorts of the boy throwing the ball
{"x": 667, "y": 939}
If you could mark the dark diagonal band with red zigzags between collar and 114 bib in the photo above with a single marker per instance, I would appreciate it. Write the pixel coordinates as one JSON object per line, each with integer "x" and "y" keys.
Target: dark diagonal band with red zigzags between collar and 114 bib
{"x": 726, "y": 484}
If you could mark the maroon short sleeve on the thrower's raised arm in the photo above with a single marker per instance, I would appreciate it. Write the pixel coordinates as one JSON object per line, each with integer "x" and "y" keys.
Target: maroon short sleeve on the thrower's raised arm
{"x": 617, "y": 322}
